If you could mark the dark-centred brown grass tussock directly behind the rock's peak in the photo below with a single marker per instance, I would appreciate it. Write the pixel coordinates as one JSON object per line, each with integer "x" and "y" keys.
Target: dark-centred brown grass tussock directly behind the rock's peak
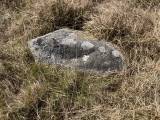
{"x": 65, "y": 13}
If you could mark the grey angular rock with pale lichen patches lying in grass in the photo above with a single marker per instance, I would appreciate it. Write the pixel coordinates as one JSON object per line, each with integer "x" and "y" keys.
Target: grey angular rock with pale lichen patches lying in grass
{"x": 68, "y": 48}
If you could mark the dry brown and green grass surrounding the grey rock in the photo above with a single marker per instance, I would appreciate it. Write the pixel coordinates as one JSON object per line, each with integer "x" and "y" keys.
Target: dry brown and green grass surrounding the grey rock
{"x": 29, "y": 90}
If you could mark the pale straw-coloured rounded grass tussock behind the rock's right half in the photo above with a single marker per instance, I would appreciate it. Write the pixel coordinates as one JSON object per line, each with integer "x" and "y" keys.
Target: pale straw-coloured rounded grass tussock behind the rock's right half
{"x": 118, "y": 19}
